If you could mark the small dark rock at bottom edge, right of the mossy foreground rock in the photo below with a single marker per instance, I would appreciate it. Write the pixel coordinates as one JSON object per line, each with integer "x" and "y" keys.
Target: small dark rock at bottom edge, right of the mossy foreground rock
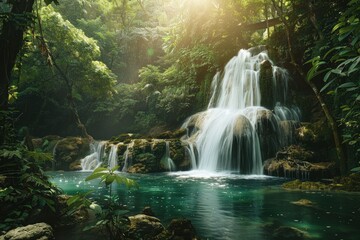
{"x": 182, "y": 229}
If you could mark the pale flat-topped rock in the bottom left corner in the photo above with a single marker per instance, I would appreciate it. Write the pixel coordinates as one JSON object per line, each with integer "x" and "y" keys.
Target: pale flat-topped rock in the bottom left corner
{"x": 38, "y": 231}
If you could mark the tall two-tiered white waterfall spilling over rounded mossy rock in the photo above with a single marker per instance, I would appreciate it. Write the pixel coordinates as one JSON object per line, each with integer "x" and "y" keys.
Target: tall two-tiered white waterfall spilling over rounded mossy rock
{"x": 235, "y": 132}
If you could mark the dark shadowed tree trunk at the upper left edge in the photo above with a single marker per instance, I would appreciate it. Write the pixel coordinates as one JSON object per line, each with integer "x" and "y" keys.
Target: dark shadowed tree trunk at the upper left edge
{"x": 11, "y": 41}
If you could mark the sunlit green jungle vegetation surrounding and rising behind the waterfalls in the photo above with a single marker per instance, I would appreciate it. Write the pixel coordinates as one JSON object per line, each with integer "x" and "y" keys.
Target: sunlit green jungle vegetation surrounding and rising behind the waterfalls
{"x": 98, "y": 68}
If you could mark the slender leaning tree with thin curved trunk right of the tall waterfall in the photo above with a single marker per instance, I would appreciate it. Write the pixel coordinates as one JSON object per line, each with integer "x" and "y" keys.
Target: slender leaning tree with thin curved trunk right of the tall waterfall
{"x": 292, "y": 19}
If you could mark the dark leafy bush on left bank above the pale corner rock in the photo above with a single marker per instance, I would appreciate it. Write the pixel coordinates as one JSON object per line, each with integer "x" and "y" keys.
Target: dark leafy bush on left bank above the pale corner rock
{"x": 26, "y": 192}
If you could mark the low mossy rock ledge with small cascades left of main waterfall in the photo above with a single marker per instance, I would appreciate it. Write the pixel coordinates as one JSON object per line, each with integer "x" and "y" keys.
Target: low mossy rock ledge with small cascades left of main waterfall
{"x": 136, "y": 155}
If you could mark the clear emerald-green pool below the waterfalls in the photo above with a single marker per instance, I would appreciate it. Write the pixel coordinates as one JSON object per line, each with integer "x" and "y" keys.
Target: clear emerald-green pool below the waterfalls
{"x": 229, "y": 206}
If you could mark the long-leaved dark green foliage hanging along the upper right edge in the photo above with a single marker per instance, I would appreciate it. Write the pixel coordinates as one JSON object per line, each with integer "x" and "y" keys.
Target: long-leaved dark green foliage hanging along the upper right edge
{"x": 340, "y": 68}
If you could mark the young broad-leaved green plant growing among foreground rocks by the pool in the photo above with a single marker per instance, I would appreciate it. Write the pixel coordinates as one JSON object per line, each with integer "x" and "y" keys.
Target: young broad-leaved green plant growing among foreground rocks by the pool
{"x": 111, "y": 219}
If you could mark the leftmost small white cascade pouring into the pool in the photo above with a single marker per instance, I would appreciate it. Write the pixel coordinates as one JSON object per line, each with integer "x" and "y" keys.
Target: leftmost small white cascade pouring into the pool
{"x": 94, "y": 159}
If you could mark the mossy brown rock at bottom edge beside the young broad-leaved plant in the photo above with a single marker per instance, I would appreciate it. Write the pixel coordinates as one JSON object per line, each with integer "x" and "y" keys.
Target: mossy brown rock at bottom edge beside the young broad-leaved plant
{"x": 144, "y": 227}
